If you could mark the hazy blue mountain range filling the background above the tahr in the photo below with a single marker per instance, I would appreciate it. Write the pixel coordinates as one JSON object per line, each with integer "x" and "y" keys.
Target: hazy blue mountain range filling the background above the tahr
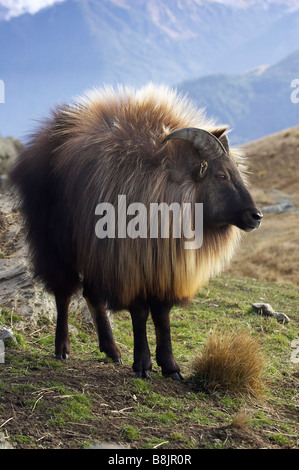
{"x": 60, "y": 51}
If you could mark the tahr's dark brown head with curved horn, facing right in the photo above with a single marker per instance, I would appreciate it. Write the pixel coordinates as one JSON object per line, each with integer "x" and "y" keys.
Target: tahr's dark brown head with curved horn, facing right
{"x": 221, "y": 189}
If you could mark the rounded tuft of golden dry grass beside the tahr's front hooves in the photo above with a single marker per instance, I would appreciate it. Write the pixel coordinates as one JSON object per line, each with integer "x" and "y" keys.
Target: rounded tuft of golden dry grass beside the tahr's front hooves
{"x": 231, "y": 362}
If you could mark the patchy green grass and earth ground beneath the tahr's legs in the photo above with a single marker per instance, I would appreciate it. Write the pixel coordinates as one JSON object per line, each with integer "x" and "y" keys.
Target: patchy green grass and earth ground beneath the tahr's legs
{"x": 86, "y": 399}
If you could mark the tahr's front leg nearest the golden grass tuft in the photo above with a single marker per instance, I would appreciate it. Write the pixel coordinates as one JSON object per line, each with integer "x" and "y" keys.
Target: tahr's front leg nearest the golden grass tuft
{"x": 161, "y": 317}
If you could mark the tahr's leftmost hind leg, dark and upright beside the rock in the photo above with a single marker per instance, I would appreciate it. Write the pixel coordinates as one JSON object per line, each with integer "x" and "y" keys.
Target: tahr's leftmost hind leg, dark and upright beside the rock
{"x": 62, "y": 343}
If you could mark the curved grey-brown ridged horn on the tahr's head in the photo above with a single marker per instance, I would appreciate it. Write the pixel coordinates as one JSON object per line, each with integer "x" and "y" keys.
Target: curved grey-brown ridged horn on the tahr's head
{"x": 202, "y": 140}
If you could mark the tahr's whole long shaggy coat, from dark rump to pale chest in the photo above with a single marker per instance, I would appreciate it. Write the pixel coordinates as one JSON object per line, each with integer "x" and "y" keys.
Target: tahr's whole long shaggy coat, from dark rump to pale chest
{"x": 108, "y": 143}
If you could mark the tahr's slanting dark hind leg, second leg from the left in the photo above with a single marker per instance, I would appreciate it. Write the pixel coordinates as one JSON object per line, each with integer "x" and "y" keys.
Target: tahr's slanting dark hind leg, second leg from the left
{"x": 98, "y": 311}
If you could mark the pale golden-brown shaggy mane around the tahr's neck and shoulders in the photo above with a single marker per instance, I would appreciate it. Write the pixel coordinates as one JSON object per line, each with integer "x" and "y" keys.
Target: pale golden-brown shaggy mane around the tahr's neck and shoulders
{"x": 112, "y": 146}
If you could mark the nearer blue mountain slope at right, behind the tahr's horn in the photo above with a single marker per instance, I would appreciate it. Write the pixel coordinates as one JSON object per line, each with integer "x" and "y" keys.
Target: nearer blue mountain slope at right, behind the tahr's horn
{"x": 254, "y": 104}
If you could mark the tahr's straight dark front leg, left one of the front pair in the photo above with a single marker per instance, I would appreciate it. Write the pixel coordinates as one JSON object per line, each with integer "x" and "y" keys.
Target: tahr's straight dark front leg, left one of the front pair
{"x": 142, "y": 365}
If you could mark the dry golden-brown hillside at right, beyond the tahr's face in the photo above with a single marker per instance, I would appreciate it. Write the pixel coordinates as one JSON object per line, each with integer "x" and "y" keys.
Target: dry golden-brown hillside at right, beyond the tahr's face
{"x": 272, "y": 252}
